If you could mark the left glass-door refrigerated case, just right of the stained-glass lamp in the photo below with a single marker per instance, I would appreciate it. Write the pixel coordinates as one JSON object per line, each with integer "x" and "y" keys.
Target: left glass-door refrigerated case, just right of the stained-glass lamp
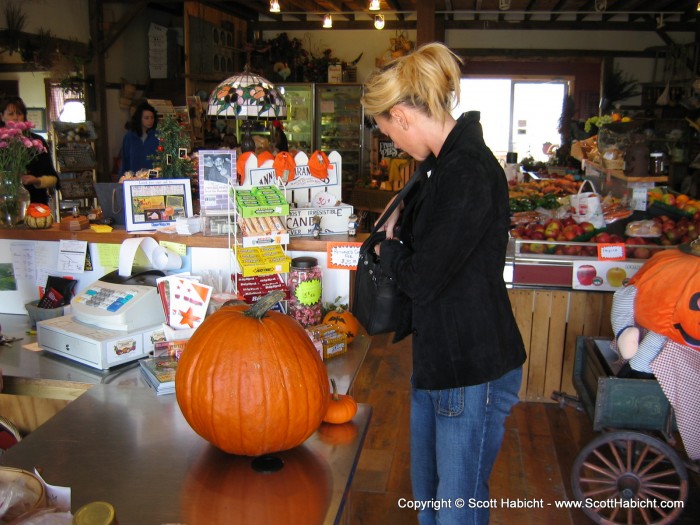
{"x": 299, "y": 126}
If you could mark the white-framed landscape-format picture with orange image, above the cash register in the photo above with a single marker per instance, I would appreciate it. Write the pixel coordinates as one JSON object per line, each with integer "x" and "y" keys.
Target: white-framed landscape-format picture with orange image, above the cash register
{"x": 156, "y": 203}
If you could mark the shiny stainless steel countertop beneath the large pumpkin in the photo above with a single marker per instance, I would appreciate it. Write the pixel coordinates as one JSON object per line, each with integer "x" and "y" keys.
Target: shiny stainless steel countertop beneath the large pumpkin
{"x": 135, "y": 450}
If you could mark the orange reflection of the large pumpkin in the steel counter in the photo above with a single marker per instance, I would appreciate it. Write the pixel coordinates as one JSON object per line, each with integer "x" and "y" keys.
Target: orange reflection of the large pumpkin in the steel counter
{"x": 223, "y": 489}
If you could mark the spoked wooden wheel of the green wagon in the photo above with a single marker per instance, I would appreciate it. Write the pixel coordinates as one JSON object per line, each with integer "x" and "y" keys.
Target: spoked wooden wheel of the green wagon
{"x": 630, "y": 478}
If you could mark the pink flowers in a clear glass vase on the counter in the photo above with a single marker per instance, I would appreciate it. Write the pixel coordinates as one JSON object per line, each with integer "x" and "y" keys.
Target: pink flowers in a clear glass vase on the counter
{"x": 17, "y": 149}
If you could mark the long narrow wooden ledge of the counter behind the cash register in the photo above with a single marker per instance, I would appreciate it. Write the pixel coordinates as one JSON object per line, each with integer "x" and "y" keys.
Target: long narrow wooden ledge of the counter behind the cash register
{"x": 117, "y": 236}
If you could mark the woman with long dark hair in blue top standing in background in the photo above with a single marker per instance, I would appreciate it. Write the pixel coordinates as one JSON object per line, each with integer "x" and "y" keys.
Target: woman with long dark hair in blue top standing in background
{"x": 141, "y": 141}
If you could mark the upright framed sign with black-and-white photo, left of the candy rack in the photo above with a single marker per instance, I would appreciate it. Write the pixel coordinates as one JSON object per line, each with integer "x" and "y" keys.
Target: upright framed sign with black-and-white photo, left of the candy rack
{"x": 217, "y": 173}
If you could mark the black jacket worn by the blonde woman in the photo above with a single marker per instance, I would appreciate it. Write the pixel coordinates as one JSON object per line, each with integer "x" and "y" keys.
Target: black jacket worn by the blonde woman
{"x": 449, "y": 263}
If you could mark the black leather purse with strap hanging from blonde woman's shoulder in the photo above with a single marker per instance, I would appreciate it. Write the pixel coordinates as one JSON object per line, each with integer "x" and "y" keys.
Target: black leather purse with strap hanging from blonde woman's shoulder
{"x": 377, "y": 298}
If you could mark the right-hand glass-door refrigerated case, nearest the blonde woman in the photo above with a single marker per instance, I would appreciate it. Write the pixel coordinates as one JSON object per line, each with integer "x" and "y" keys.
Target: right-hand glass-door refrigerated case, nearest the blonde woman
{"x": 339, "y": 119}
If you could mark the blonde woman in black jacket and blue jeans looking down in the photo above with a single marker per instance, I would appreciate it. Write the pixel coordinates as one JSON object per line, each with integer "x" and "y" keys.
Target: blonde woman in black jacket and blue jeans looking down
{"x": 448, "y": 256}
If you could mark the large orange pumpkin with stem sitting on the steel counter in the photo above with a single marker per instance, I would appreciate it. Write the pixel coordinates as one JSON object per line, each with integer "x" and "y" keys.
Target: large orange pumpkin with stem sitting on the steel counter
{"x": 251, "y": 381}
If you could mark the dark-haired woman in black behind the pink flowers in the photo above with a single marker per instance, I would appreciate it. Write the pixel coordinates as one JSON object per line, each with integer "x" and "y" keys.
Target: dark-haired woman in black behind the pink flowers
{"x": 41, "y": 174}
